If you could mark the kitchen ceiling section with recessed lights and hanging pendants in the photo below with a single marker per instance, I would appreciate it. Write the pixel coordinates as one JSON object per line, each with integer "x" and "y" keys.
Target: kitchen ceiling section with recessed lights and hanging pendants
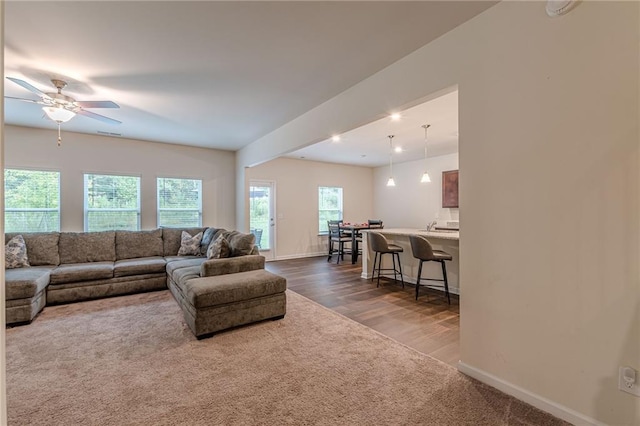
{"x": 369, "y": 145}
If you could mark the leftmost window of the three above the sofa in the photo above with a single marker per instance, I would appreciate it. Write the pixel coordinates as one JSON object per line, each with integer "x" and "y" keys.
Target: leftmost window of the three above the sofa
{"x": 32, "y": 201}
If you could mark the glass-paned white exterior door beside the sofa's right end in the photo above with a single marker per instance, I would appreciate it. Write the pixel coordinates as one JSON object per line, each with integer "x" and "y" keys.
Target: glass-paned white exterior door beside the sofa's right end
{"x": 261, "y": 216}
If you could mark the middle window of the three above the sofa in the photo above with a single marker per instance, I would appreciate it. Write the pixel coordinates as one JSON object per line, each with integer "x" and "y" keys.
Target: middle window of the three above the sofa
{"x": 111, "y": 202}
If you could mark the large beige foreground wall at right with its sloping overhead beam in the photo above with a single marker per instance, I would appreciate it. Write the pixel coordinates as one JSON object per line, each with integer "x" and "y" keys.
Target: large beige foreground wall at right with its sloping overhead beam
{"x": 549, "y": 195}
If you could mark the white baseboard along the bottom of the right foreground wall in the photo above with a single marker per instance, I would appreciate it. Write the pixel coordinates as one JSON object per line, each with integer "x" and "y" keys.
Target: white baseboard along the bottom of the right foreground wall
{"x": 530, "y": 398}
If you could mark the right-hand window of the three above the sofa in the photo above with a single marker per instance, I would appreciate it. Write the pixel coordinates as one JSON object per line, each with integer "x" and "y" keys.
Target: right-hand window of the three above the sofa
{"x": 179, "y": 202}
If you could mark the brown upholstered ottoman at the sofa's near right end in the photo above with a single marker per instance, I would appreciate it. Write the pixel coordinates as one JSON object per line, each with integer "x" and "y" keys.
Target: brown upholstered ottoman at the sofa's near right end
{"x": 215, "y": 303}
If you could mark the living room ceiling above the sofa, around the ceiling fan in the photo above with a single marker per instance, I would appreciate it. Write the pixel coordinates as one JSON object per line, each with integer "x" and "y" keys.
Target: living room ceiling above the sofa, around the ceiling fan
{"x": 209, "y": 74}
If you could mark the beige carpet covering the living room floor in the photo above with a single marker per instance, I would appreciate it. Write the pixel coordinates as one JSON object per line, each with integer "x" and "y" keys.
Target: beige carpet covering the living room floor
{"x": 132, "y": 361}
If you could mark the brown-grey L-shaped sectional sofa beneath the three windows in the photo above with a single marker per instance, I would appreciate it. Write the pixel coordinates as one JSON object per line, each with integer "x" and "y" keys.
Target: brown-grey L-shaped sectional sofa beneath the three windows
{"x": 68, "y": 267}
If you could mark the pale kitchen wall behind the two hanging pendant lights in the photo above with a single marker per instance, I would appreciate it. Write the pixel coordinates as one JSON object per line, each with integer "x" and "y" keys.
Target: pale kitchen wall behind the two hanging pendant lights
{"x": 421, "y": 202}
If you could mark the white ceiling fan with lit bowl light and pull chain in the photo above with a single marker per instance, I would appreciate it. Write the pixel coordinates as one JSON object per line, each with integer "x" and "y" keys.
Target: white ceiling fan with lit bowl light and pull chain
{"x": 62, "y": 108}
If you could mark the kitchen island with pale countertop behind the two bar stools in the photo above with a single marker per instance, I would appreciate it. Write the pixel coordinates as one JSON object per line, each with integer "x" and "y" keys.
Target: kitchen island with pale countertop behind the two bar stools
{"x": 440, "y": 240}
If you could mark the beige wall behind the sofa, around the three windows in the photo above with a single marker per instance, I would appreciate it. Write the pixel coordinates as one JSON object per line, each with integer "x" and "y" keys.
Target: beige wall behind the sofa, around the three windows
{"x": 79, "y": 154}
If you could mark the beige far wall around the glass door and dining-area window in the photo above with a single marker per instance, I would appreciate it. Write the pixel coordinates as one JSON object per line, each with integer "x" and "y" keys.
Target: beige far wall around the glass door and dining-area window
{"x": 297, "y": 183}
